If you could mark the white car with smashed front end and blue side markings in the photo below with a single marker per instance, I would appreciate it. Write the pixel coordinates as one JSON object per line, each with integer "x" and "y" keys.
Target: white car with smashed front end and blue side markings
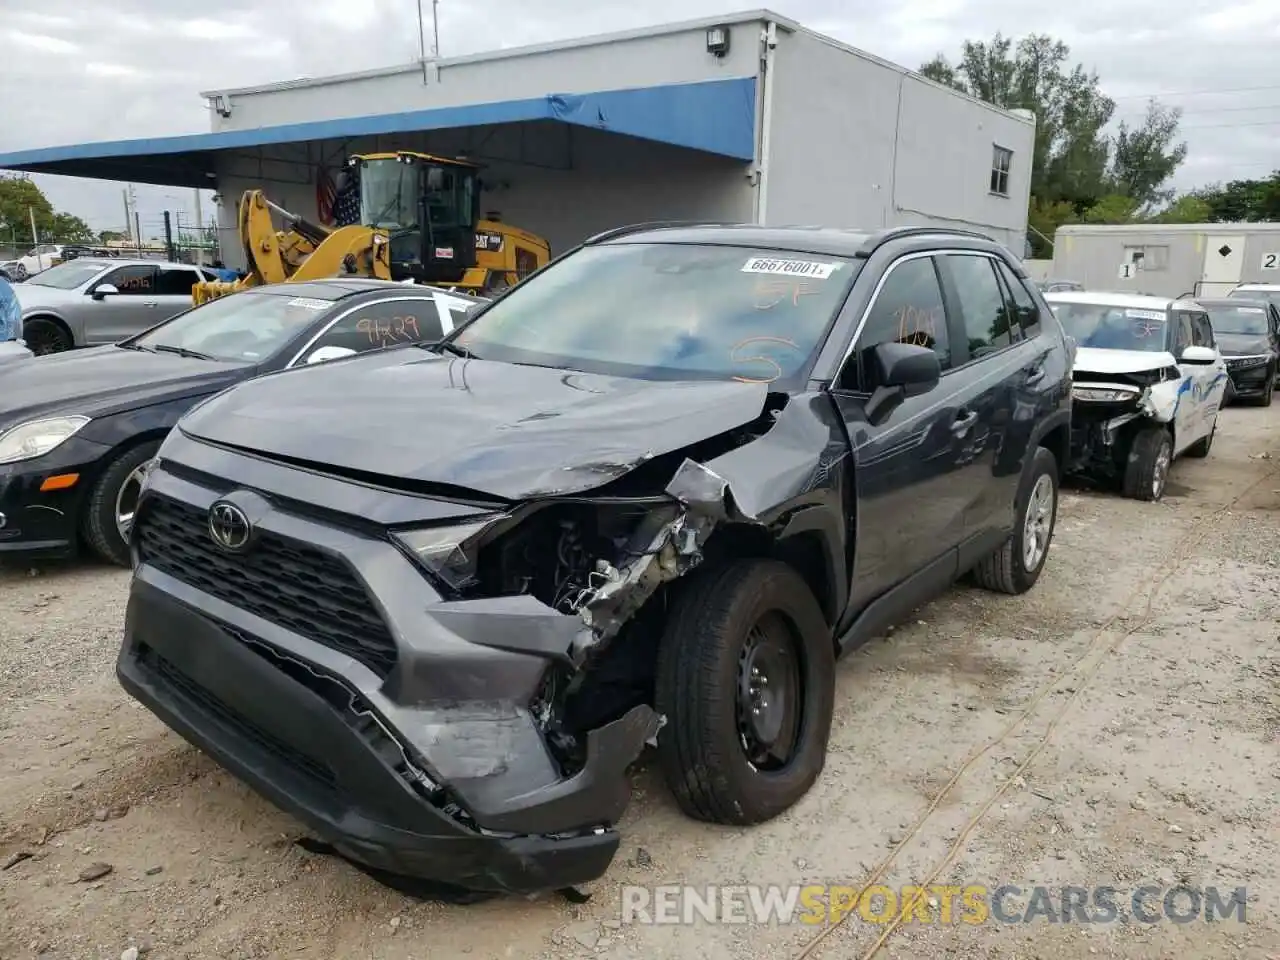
{"x": 1148, "y": 386}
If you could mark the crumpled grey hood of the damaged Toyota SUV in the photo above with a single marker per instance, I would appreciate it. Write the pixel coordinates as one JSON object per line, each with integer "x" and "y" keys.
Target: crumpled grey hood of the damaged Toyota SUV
{"x": 504, "y": 431}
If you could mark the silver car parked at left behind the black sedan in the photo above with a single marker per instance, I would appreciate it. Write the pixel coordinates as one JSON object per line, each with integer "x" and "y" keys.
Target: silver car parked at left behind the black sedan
{"x": 92, "y": 301}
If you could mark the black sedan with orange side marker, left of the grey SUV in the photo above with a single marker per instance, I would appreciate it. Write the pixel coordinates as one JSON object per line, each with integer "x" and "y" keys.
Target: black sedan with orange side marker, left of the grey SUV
{"x": 79, "y": 429}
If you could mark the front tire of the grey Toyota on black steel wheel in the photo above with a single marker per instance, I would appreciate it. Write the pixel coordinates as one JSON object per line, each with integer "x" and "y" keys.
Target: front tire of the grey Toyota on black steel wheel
{"x": 710, "y": 629}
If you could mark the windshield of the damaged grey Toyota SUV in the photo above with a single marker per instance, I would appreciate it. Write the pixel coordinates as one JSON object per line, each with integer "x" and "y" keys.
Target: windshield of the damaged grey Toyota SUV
{"x": 669, "y": 312}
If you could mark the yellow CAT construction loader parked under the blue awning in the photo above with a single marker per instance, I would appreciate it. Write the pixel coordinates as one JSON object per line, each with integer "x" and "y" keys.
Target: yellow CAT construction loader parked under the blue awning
{"x": 419, "y": 221}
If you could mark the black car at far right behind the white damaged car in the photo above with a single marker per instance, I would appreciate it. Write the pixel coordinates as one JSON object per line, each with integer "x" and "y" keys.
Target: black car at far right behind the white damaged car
{"x": 1249, "y": 336}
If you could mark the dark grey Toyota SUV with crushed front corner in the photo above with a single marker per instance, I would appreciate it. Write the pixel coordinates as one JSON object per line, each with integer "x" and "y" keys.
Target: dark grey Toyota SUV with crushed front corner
{"x": 653, "y": 491}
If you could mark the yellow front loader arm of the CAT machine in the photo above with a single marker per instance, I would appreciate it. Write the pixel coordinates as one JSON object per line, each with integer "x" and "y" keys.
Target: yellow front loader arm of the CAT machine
{"x": 303, "y": 252}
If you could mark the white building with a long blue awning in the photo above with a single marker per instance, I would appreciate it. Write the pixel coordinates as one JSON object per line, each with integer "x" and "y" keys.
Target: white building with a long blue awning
{"x": 742, "y": 118}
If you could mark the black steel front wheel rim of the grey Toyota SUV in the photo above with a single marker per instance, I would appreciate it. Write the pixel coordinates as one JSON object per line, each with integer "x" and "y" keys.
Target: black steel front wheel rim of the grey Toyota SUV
{"x": 770, "y": 696}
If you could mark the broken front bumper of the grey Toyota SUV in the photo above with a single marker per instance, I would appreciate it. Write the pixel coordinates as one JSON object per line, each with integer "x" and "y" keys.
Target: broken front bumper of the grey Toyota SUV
{"x": 429, "y": 765}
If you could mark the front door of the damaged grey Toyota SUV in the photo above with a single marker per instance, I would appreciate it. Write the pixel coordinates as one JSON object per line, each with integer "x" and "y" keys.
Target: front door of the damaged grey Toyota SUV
{"x": 911, "y": 509}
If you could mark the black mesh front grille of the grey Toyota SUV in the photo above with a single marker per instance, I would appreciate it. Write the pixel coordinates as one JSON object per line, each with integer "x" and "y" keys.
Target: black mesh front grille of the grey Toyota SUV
{"x": 284, "y": 582}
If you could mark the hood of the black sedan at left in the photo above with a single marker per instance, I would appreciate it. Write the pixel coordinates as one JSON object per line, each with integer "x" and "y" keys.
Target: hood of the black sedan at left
{"x": 104, "y": 381}
